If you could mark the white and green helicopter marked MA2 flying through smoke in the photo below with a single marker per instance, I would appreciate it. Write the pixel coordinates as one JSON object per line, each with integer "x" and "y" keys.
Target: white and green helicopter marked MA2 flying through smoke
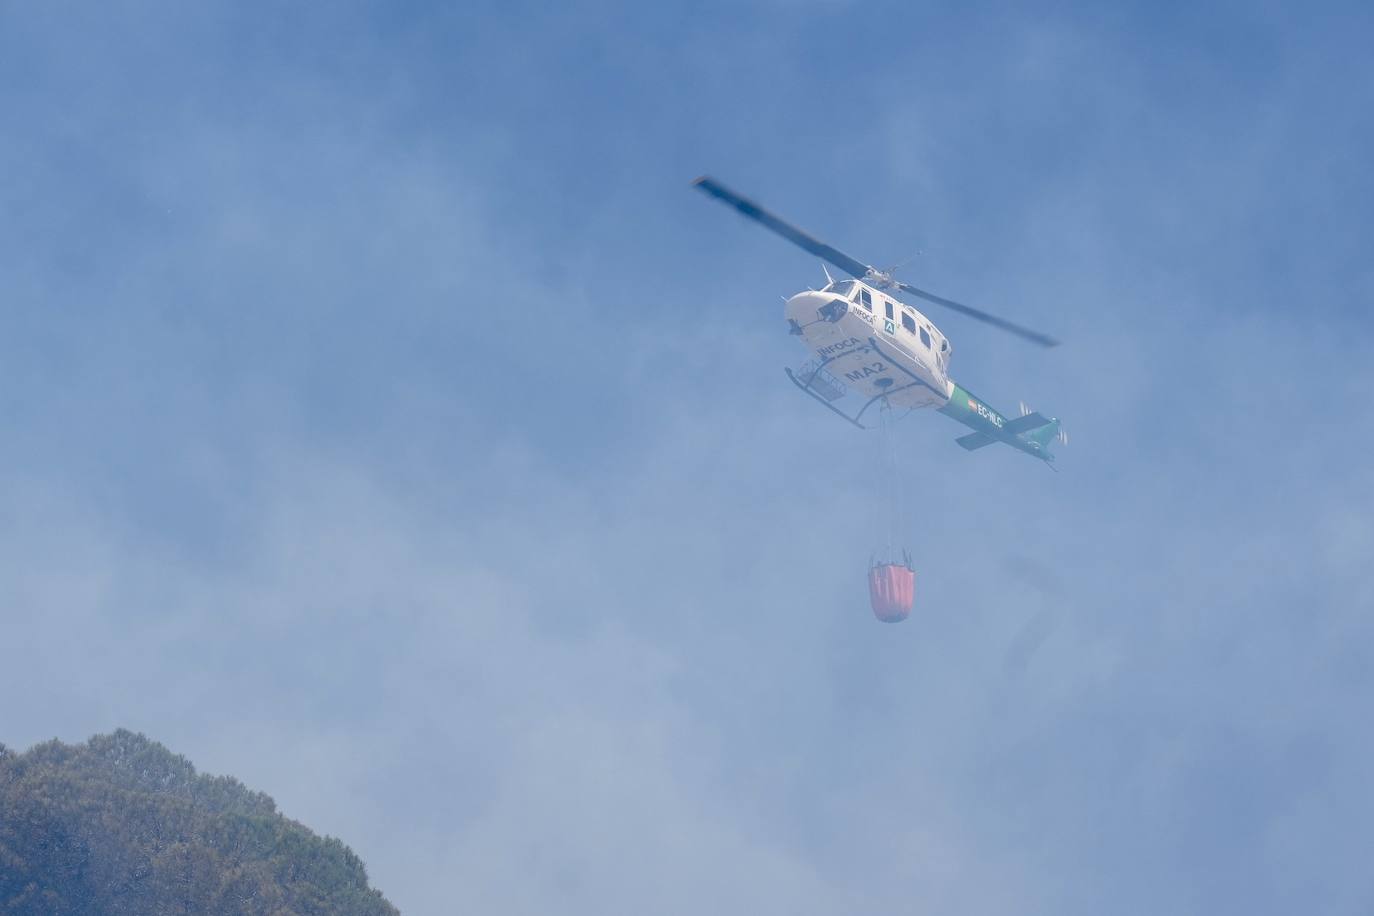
{"x": 866, "y": 340}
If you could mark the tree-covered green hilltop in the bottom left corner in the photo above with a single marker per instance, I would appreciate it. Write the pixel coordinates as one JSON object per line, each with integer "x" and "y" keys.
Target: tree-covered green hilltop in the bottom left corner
{"x": 124, "y": 826}
